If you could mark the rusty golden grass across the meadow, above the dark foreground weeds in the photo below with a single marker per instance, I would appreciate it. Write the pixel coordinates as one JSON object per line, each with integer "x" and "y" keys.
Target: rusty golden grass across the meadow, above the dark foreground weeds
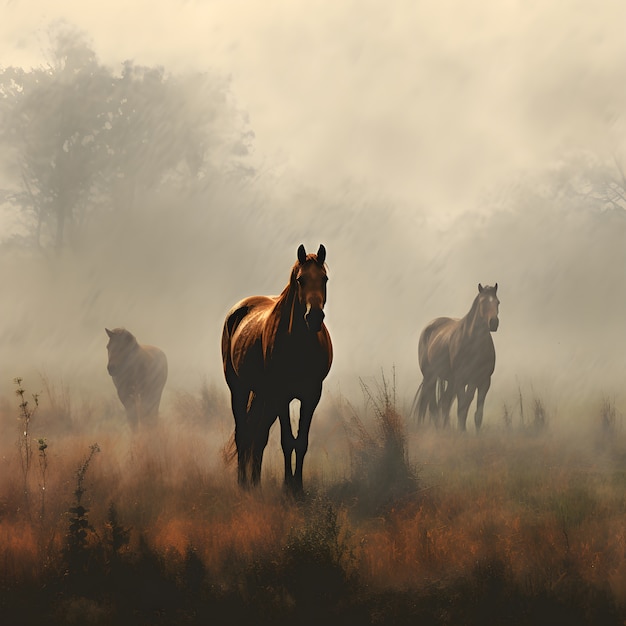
{"x": 538, "y": 509}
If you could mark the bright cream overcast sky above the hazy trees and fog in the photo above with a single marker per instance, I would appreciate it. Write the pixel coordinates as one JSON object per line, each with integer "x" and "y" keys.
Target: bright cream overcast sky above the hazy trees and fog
{"x": 427, "y": 103}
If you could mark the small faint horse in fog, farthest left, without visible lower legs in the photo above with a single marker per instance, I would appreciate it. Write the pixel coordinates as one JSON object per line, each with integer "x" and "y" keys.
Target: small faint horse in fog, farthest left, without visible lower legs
{"x": 139, "y": 373}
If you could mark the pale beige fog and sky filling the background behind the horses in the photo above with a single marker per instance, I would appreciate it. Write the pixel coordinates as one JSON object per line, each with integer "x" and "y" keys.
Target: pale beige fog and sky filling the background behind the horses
{"x": 429, "y": 147}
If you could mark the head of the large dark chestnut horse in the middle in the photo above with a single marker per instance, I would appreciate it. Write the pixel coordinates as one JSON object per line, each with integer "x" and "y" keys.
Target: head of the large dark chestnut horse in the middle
{"x": 310, "y": 276}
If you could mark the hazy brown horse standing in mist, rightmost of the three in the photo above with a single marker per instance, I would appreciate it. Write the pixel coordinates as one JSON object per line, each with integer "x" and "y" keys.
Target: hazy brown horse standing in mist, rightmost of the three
{"x": 457, "y": 357}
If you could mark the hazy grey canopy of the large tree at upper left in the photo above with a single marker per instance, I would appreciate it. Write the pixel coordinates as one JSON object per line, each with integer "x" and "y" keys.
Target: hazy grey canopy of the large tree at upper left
{"x": 80, "y": 138}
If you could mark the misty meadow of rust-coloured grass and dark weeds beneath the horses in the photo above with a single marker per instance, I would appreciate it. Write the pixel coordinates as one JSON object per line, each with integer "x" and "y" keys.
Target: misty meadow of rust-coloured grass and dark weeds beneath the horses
{"x": 522, "y": 524}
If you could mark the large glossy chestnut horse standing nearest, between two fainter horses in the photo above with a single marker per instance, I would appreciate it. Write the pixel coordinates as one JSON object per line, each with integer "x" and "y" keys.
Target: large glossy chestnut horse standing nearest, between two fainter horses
{"x": 274, "y": 350}
